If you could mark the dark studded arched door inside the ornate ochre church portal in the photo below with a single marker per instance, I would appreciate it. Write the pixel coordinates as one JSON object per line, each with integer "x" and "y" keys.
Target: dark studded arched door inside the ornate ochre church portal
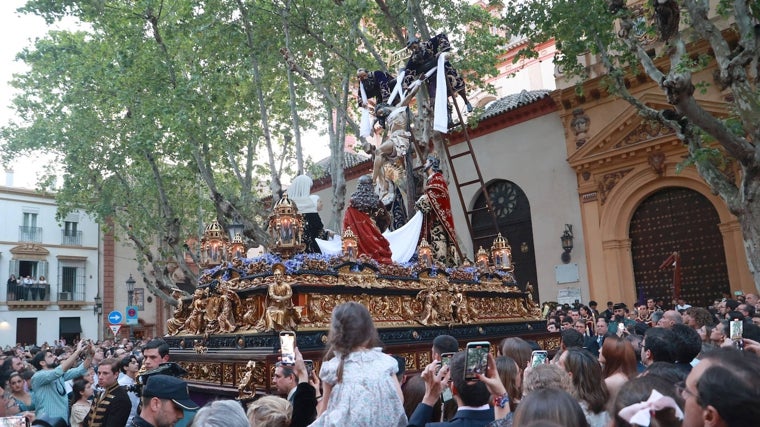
{"x": 682, "y": 220}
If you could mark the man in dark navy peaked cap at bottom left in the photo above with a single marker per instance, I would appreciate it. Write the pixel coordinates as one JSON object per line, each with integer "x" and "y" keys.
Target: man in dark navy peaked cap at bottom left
{"x": 163, "y": 401}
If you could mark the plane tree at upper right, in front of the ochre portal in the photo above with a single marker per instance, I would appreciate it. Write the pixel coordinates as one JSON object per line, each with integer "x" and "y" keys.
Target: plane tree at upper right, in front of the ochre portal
{"x": 615, "y": 32}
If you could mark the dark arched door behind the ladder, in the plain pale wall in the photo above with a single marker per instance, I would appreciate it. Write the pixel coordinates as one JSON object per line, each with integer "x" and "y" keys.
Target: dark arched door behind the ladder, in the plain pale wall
{"x": 513, "y": 215}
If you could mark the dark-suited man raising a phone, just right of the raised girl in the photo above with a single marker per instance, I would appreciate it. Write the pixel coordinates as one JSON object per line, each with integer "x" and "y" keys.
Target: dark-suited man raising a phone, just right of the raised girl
{"x": 472, "y": 398}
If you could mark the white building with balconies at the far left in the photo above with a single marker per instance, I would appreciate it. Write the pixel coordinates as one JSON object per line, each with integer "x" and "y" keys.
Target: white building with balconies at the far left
{"x": 34, "y": 243}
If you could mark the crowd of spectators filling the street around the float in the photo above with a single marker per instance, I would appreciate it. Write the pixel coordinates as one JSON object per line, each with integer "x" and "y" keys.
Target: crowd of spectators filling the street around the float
{"x": 683, "y": 366}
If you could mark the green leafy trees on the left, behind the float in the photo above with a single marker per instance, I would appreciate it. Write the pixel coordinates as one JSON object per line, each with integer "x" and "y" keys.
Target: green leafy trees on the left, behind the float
{"x": 150, "y": 94}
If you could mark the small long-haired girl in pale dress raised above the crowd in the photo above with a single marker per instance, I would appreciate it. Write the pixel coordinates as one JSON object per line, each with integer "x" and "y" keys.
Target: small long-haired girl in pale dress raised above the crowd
{"x": 359, "y": 380}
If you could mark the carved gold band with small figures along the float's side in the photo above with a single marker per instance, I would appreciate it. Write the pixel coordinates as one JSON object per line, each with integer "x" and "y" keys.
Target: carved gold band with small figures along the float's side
{"x": 411, "y": 296}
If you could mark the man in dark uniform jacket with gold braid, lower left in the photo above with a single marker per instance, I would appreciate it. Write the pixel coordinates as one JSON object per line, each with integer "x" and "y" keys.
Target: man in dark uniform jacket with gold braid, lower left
{"x": 113, "y": 406}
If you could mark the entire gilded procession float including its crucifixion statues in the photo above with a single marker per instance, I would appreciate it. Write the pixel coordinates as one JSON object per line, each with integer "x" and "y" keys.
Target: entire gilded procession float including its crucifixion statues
{"x": 414, "y": 279}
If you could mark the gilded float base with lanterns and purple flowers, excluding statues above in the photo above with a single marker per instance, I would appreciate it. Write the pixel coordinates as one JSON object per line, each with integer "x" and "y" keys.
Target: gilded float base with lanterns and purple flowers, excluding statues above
{"x": 227, "y": 335}
